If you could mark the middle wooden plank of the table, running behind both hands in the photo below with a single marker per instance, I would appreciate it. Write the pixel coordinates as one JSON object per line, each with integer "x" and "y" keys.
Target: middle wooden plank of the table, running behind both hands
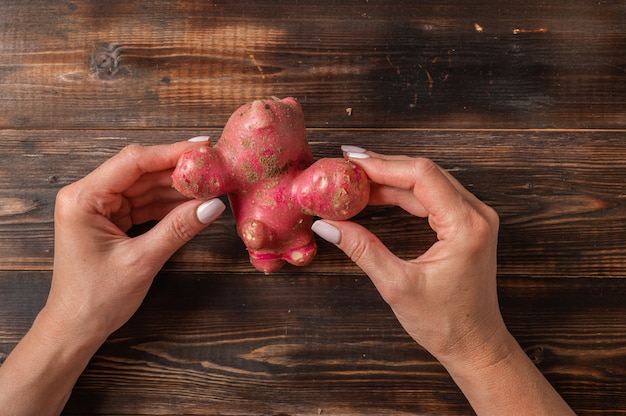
{"x": 559, "y": 195}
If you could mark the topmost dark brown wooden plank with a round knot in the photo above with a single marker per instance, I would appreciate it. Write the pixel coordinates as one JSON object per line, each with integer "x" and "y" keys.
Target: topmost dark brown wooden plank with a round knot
{"x": 186, "y": 64}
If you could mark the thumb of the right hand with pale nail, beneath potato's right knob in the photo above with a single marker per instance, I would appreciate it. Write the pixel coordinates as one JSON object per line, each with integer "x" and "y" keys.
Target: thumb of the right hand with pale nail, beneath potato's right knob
{"x": 363, "y": 248}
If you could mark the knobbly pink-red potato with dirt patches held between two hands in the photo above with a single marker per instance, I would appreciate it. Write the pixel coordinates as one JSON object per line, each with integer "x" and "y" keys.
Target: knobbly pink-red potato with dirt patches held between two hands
{"x": 264, "y": 163}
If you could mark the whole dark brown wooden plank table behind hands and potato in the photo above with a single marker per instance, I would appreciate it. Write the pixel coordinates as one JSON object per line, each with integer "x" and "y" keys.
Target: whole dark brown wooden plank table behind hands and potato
{"x": 525, "y": 102}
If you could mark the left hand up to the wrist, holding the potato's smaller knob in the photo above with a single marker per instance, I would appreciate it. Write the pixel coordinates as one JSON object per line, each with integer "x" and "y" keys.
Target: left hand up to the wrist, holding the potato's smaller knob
{"x": 101, "y": 275}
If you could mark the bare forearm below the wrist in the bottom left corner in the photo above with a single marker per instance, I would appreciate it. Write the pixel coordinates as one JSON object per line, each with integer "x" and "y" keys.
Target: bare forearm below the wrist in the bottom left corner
{"x": 39, "y": 374}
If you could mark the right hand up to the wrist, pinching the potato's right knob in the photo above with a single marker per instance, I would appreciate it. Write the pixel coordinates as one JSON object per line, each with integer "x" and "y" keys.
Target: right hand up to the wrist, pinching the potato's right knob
{"x": 446, "y": 297}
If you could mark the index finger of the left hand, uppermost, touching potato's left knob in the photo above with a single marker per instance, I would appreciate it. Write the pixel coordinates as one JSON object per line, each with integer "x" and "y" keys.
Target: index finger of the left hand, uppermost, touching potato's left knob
{"x": 122, "y": 170}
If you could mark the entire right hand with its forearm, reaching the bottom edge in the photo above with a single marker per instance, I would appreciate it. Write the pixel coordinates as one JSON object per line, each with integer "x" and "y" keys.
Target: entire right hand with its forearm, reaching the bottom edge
{"x": 446, "y": 298}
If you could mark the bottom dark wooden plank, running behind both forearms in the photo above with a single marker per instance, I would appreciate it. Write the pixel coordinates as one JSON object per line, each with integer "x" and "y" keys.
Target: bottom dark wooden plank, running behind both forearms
{"x": 205, "y": 343}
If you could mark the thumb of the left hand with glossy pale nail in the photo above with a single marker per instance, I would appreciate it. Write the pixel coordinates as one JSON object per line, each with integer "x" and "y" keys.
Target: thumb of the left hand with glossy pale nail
{"x": 179, "y": 226}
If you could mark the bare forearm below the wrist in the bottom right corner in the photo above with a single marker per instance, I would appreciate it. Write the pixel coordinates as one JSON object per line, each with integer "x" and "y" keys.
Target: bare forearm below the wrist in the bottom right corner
{"x": 508, "y": 385}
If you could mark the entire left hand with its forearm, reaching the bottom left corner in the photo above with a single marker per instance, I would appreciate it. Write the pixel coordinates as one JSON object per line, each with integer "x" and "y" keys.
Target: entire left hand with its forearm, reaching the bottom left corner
{"x": 101, "y": 275}
